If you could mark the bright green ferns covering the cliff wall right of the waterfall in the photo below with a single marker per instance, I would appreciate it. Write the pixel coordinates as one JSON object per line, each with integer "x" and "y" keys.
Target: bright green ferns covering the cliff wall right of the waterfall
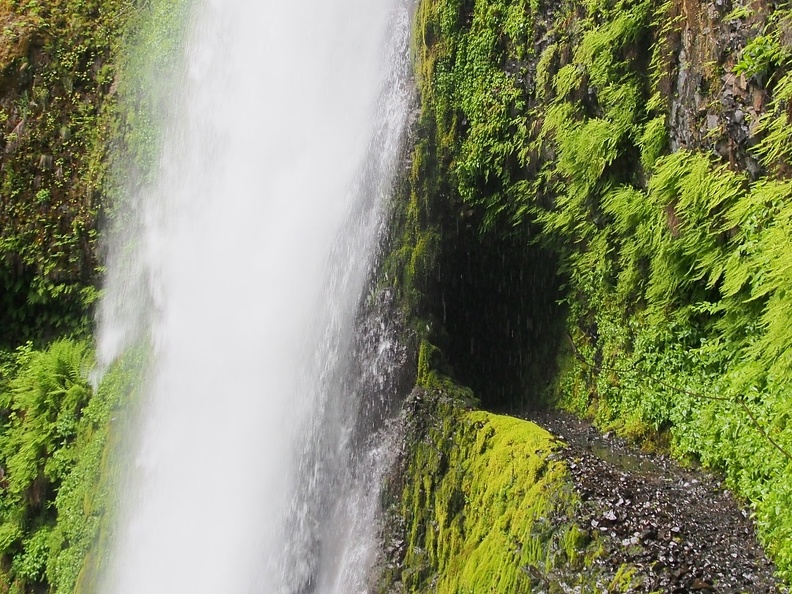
{"x": 550, "y": 122}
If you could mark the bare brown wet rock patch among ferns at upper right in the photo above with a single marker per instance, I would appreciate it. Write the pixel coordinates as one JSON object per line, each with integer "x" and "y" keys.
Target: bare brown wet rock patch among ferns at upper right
{"x": 710, "y": 107}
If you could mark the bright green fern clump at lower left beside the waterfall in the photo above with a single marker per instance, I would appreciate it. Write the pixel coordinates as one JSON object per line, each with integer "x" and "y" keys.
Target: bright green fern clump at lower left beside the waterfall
{"x": 56, "y": 435}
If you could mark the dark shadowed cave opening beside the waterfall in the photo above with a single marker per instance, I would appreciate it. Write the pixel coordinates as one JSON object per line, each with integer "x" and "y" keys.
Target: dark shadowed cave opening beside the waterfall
{"x": 497, "y": 297}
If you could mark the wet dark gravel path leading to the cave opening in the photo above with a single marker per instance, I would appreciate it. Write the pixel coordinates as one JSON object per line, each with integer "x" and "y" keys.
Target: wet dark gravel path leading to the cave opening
{"x": 680, "y": 527}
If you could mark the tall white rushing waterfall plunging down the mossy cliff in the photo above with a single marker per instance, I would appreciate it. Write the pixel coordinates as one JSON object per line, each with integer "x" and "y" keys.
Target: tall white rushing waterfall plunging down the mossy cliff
{"x": 244, "y": 268}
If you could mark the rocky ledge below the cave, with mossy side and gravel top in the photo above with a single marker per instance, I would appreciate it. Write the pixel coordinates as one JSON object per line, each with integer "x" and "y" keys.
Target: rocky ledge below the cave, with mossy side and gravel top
{"x": 478, "y": 502}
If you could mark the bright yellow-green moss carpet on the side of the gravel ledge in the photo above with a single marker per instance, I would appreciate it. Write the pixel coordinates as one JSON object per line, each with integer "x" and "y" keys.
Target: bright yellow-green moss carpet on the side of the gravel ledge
{"x": 493, "y": 468}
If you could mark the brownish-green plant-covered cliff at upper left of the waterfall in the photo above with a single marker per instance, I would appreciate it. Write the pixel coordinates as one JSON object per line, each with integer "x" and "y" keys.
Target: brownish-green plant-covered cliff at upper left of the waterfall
{"x": 74, "y": 101}
